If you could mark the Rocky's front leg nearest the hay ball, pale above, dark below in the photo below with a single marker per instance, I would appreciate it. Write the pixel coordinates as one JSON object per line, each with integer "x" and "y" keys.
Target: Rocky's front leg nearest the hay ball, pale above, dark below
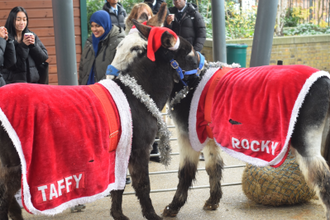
{"x": 214, "y": 166}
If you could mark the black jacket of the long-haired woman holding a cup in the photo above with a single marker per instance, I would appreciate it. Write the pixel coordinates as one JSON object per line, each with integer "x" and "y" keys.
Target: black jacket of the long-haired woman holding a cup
{"x": 27, "y": 60}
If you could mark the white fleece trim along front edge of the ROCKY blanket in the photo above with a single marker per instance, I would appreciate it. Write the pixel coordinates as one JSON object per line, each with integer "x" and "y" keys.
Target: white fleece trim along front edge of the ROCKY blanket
{"x": 193, "y": 137}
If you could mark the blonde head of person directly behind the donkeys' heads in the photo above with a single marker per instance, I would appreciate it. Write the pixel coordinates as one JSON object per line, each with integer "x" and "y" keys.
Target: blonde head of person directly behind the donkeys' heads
{"x": 139, "y": 11}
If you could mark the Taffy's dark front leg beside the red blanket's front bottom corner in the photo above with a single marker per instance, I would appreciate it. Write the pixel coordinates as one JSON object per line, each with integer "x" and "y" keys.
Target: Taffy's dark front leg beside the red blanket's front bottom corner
{"x": 116, "y": 206}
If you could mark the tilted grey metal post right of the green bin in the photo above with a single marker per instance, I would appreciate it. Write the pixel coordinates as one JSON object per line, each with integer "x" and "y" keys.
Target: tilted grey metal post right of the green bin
{"x": 263, "y": 33}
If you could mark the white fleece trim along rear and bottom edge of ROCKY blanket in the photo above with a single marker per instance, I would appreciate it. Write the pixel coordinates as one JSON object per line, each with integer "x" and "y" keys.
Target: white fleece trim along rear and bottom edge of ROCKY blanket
{"x": 293, "y": 119}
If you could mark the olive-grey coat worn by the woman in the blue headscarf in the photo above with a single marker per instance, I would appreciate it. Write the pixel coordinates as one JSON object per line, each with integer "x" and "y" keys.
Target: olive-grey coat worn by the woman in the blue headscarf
{"x": 106, "y": 53}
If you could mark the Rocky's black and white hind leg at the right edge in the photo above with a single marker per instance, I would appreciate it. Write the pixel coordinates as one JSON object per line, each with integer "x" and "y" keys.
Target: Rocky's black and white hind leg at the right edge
{"x": 309, "y": 136}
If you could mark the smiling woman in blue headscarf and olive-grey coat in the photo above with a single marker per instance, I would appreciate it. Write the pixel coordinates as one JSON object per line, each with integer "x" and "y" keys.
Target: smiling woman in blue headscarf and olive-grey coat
{"x": 99, "y": 49}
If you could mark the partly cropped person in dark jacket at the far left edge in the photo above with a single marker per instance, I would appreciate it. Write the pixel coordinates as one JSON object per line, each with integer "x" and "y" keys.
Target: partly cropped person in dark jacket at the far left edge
{"x": 7, "y": 53}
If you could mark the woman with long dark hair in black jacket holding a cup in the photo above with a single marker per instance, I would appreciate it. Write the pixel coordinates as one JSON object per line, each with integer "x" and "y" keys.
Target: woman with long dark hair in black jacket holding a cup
{"x": 30, "y": 52}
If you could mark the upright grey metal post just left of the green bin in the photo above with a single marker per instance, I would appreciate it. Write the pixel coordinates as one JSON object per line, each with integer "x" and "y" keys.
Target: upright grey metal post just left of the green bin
{"x": 219, "y": 31}
